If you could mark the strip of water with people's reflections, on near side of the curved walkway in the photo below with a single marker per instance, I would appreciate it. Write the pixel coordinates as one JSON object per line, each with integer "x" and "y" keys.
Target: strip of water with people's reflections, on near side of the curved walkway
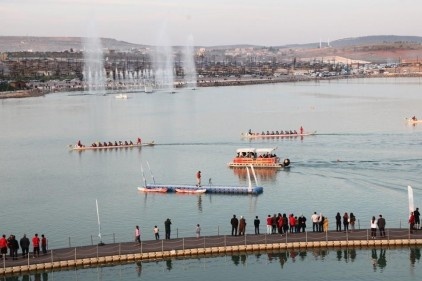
{"x": 255, "y": 265}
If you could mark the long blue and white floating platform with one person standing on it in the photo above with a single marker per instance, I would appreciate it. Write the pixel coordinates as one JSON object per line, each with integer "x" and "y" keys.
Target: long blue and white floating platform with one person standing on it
{"x": 222, "y": 189}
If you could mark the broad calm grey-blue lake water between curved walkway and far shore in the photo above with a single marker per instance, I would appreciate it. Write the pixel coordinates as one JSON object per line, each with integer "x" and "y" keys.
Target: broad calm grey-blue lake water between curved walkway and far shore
{"x": 362, "y": 159}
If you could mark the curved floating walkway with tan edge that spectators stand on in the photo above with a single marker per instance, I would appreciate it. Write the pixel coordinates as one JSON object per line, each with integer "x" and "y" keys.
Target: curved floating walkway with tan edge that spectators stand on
{"x": 207, "y": 245}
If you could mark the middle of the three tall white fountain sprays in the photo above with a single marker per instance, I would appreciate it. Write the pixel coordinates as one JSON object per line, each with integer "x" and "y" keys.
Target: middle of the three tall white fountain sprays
{"x": 164, "y": 63}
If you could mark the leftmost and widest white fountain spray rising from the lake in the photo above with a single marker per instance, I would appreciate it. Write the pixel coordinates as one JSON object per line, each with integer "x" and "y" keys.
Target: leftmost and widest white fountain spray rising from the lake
{"x": 94, "y": 72}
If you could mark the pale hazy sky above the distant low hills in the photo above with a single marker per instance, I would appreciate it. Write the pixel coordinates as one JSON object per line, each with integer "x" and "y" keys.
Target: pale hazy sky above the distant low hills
{"x": 217, "y": 22}
